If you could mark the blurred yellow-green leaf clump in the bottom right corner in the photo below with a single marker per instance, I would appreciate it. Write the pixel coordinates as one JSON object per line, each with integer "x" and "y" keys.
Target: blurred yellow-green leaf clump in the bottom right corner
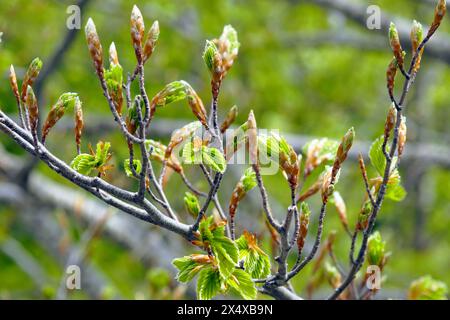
{"x": 427, "y": 288}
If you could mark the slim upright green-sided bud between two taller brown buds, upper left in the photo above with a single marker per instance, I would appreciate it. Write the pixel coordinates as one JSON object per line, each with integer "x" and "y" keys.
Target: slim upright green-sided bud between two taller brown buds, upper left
{"x": 114, "y": 79}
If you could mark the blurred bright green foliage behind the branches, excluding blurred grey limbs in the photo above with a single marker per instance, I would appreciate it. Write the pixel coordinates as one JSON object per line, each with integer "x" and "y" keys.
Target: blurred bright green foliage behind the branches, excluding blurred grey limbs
{"x": 297, "y": 86}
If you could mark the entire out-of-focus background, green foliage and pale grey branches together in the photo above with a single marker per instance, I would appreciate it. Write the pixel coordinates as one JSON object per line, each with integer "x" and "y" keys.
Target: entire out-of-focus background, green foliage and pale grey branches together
{"x": 309, "y": 68}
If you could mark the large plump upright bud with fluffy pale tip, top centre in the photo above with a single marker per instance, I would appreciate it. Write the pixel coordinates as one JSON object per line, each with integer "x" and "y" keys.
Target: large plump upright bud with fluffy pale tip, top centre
{"x": 219, "y": 56}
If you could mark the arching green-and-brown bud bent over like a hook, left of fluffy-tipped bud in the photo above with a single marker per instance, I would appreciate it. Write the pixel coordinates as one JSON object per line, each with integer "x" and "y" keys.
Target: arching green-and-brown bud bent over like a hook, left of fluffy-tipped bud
{"x": 176, "y": 91}
